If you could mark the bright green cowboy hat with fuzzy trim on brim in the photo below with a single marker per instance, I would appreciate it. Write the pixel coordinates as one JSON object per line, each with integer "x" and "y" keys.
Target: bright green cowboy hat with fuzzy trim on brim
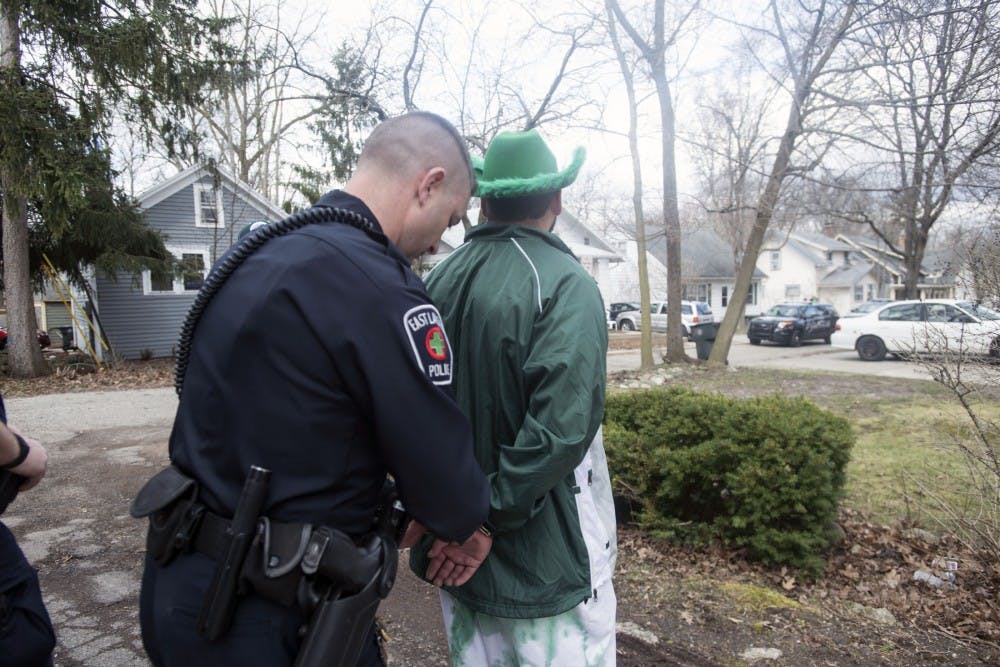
{"x": 519, "y": 164}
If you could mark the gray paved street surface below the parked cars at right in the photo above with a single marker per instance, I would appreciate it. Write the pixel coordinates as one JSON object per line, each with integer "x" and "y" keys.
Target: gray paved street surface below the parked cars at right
{"x": 810, "y": 356}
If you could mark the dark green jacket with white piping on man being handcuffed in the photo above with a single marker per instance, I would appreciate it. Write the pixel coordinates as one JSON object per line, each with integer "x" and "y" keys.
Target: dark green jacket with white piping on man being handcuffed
{"x": 529, "y": 340}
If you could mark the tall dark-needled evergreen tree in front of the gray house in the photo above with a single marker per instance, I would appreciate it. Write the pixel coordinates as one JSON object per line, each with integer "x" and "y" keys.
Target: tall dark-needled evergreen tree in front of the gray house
{"x": 65, "y": 67}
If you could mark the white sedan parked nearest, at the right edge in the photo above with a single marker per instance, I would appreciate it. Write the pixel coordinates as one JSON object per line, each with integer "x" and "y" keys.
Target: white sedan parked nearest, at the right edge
{"x": 908, "y": 327}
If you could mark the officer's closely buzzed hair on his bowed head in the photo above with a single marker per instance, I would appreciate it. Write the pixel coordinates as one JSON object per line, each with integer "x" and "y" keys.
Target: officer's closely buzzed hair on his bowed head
{"x": 417, "y": 140}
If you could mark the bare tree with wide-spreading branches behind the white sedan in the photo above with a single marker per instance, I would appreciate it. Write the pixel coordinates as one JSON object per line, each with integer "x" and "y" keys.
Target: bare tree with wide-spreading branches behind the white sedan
{"x": 927, "y": 116}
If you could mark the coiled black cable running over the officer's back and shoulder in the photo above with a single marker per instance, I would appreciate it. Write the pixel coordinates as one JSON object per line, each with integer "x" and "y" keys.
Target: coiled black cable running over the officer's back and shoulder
{"x": 218, "y": 275}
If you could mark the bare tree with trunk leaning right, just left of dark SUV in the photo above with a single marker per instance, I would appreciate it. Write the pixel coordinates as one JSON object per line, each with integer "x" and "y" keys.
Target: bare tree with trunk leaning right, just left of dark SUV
{"x": 808, "y": 34}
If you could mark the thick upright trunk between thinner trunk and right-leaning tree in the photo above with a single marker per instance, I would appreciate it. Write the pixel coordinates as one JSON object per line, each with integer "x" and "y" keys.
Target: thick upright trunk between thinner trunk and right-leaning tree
{"x": 671, "y": 220}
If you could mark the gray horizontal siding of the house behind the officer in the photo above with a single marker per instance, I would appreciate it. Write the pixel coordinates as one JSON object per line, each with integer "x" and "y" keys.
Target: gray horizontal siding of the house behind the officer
{"x": 140, "y": 321}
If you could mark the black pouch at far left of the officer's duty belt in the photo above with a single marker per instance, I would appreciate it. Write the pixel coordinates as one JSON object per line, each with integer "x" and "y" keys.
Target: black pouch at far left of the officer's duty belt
{"x": 170, "y": 500}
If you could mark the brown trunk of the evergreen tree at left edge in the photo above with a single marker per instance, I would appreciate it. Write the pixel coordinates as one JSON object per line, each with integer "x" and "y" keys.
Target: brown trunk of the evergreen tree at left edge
{"x": 23, "y": 354}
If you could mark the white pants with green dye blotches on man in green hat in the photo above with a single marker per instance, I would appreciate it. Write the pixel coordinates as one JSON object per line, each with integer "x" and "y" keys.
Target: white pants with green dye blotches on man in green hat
{"x": 582, "y": 636}
